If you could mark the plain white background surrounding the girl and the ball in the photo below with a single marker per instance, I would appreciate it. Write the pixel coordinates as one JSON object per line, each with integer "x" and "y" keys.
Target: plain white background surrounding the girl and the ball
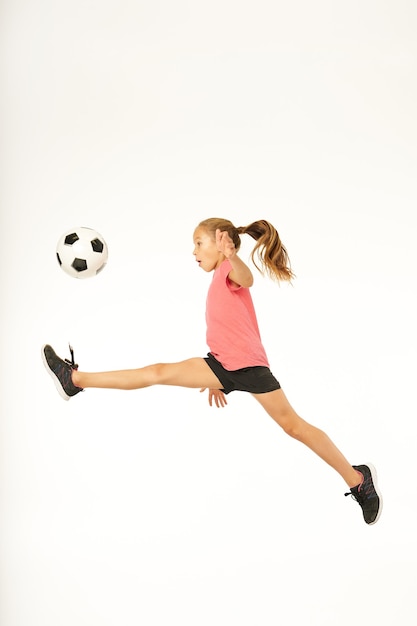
{"x": 140, "y": 119}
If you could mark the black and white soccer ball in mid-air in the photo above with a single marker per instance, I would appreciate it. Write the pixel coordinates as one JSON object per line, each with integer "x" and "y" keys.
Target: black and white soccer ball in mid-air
{"x": 82, "y": 252}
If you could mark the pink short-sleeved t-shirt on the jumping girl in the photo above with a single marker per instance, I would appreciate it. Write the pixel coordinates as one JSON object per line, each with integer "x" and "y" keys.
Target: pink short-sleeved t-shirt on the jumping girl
{"x": 232, "y": 328}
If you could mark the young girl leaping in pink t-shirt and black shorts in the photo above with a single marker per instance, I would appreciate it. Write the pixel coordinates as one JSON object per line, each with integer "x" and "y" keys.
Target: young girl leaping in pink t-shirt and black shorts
{"x": 237, "y": 359}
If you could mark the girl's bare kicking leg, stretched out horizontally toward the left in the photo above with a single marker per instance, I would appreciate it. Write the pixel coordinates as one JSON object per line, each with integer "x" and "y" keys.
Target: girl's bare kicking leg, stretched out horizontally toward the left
{"x": 193, "y": 373}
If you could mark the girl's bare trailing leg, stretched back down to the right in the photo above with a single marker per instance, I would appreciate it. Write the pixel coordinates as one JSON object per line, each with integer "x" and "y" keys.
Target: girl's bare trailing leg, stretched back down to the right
{"x": 277, "y": 406}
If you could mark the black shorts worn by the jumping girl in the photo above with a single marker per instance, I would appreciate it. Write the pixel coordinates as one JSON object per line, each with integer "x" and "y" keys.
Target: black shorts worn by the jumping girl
{"x": 257, "y": 379}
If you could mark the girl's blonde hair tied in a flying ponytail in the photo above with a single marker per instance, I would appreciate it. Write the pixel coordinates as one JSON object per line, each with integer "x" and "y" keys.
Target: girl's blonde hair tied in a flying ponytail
{"x": 269, "y": 250}
